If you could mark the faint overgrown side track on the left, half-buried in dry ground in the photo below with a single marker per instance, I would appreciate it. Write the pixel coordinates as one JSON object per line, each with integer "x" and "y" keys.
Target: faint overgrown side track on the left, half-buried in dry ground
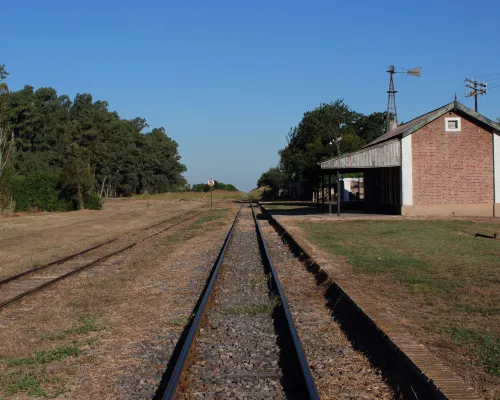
{"x": 15, "y": 287}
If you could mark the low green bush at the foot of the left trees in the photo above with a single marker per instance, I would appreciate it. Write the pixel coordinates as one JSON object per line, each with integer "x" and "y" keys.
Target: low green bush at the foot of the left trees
{"x": 39, "y": 191}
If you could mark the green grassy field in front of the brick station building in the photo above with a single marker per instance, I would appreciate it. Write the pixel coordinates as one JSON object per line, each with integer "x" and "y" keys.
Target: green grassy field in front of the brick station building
{"x": 440, "y": 277}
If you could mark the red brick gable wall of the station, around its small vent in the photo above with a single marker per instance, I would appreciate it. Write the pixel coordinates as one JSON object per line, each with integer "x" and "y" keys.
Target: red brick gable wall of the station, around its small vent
{"x": 452, "y": 167}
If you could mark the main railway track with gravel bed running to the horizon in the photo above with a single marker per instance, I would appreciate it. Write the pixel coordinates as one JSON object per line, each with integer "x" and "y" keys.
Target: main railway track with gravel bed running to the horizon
{"x": 242, "y": 342}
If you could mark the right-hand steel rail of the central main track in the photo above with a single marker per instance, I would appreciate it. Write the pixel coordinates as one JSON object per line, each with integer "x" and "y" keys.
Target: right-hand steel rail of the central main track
{"x": 312, "y": 391}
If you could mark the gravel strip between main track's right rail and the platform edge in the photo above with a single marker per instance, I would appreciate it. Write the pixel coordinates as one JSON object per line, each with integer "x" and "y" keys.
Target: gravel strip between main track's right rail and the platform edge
{"x": 340, "y": 372}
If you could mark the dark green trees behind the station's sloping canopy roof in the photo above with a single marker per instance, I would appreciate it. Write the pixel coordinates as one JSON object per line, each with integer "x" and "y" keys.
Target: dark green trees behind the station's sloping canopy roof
{"x": 312, "y": 141}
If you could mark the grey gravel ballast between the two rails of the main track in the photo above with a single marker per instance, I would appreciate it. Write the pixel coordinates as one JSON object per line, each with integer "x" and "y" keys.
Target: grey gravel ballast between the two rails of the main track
{"x": 237, "y": 355}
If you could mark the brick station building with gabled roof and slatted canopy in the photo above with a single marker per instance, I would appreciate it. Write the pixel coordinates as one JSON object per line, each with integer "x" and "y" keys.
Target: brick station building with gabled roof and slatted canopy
{"x": 443, "y": 163}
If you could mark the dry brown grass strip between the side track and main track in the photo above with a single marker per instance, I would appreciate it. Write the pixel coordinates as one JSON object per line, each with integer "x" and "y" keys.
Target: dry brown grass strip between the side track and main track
{"x": 79, "y": 337}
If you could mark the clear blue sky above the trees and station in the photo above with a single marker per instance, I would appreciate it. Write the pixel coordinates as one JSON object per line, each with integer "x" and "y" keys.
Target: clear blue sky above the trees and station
{"x": 227, "y": 79}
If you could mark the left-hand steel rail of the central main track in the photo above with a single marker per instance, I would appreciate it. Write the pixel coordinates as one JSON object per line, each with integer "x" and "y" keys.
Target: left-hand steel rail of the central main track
{"x": 181, "y": 364}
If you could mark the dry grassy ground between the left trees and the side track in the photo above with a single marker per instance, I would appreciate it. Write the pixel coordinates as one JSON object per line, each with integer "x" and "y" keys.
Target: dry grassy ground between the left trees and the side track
{"x": 31, "y": 239}
